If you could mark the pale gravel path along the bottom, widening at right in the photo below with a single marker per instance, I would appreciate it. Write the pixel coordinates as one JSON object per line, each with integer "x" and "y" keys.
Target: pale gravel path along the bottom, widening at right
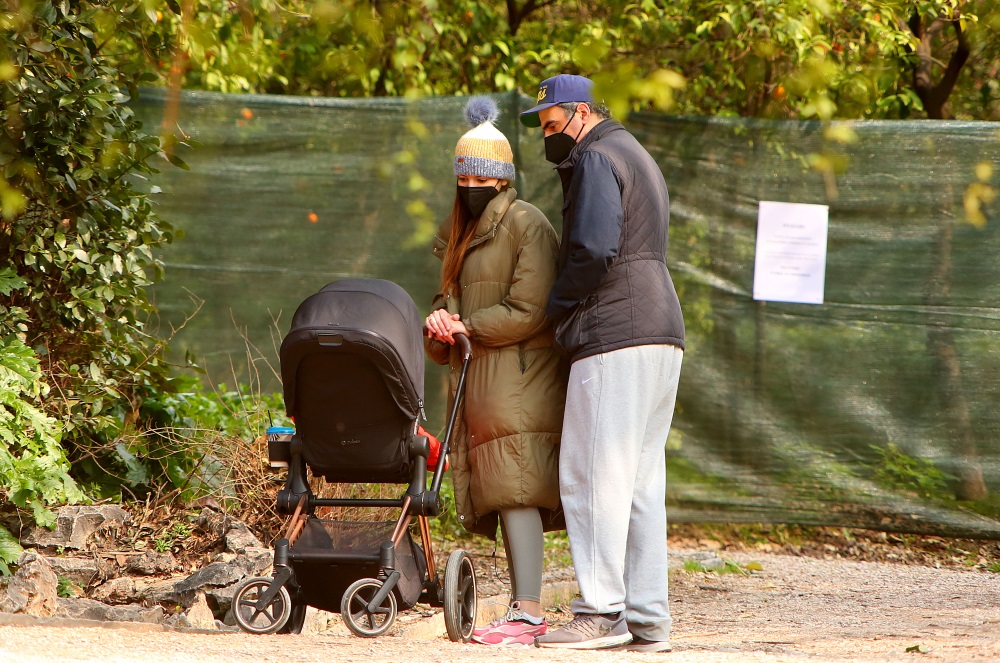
{"x": 793, "y": 609}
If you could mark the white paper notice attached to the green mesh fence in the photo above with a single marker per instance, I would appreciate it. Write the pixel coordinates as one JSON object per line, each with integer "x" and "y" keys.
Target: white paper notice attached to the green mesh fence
{"x": 790, "y": 265}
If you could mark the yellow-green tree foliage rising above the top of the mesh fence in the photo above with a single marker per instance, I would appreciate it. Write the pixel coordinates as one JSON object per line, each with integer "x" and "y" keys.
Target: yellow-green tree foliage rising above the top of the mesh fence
{"x": 762, "y": 58}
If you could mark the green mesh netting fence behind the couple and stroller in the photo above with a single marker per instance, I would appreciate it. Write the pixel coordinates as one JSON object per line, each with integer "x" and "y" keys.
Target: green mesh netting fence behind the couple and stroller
{"x": 874, "y": 409}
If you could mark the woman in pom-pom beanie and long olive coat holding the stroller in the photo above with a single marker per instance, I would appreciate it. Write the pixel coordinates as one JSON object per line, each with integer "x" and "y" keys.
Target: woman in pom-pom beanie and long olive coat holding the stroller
{"x": 499, "y": 257}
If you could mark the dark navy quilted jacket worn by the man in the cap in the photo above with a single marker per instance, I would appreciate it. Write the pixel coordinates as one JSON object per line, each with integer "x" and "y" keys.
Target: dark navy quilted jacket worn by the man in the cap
{"x": 613, "y": 289}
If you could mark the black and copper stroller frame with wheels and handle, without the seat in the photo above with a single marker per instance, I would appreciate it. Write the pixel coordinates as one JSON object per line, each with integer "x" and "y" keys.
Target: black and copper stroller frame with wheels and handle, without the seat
{"x": 369, "y": 606}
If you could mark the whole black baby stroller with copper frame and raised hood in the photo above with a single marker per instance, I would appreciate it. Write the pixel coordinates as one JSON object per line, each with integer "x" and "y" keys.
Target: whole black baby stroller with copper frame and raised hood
{"x": 352, "y": 371}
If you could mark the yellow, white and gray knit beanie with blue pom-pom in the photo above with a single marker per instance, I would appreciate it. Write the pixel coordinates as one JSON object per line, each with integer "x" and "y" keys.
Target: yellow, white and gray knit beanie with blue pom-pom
{"x": 483, "y": 151}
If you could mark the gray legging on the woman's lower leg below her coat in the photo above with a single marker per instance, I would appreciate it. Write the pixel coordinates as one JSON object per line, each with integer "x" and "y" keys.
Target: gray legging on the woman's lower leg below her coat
{"x": 524, "y": 546}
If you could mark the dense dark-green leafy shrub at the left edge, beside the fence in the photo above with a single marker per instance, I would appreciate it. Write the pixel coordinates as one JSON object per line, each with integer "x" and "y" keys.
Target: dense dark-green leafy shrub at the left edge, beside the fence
{"x": 76, "y": 235}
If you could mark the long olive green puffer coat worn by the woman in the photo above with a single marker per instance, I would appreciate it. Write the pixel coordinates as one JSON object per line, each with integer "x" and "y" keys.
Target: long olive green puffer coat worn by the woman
{"x": 505, "y": 450}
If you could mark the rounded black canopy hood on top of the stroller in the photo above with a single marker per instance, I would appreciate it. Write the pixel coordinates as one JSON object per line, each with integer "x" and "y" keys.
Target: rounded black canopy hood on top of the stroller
{"x": 377, "y": 314}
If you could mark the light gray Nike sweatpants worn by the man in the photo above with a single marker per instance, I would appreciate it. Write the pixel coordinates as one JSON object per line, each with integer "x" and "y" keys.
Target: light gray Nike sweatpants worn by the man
{"x": 613, "y": 479}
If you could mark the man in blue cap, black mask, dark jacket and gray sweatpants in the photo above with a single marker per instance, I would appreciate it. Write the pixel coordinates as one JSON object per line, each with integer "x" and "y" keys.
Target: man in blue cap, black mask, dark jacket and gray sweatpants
{"x": 617, "y": 315}
